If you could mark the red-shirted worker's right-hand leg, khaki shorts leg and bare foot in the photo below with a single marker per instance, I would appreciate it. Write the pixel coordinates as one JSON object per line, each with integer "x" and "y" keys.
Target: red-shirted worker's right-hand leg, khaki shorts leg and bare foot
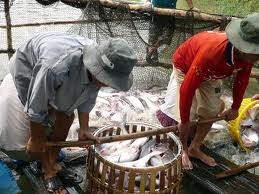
{"x": 208, "y": 106}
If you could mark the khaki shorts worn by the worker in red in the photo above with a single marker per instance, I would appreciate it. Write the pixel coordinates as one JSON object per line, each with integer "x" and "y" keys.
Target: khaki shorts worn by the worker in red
{"x": 206, "y": 101}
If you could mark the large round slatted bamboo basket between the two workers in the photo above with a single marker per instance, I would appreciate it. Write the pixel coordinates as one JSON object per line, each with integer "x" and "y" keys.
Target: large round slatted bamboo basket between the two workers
{"x": 101, "y": 173}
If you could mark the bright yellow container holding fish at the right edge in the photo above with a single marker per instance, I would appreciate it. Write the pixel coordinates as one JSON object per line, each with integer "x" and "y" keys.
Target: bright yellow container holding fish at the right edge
{"x": 234, "y": 125}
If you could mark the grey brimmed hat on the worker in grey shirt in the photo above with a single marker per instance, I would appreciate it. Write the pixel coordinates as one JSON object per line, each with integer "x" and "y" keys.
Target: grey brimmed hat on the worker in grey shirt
{"x": 111, "y": 63}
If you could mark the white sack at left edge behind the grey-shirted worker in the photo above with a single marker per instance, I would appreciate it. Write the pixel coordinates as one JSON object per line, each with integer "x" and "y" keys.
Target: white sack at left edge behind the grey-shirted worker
{"x": 14, "y": 124}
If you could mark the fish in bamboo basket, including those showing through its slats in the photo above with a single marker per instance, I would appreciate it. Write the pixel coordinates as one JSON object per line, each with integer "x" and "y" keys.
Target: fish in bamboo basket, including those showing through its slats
{"x": 139, "y": 153}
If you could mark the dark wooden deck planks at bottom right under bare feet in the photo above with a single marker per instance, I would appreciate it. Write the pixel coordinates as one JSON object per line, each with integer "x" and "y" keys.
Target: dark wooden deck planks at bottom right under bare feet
{"x": 244, "y": 183}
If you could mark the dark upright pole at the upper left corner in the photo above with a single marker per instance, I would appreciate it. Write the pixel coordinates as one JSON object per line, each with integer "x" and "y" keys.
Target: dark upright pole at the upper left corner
{"x": 8, "y": 27}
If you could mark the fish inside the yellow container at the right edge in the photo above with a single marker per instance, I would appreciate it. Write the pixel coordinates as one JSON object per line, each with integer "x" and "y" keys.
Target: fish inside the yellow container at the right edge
{"x": 249, "y": 128}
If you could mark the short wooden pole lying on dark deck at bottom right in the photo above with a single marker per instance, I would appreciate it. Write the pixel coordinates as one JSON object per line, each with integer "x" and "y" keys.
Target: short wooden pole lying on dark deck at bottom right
{"x": 236, "y": 170}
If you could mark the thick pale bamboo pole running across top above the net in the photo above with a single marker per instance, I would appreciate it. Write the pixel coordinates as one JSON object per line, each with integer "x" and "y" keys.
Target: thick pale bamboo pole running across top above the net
{"x": 159, "y": 11}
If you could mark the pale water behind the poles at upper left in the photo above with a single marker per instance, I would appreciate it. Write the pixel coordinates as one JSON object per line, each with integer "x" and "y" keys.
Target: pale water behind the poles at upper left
{"x": 27, "y": 11}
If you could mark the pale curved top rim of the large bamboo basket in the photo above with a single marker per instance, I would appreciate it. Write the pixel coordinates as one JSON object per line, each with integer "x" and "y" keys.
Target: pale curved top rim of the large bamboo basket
{"x": 117, "y": 165}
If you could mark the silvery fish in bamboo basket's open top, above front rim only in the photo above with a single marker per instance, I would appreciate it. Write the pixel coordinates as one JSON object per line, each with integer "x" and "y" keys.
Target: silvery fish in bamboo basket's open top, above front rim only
{"x": 142, "y": 152}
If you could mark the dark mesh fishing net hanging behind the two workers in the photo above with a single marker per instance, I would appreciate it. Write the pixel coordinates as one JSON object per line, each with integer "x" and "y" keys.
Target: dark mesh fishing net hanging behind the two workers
{"x": 100, "y": 21}
